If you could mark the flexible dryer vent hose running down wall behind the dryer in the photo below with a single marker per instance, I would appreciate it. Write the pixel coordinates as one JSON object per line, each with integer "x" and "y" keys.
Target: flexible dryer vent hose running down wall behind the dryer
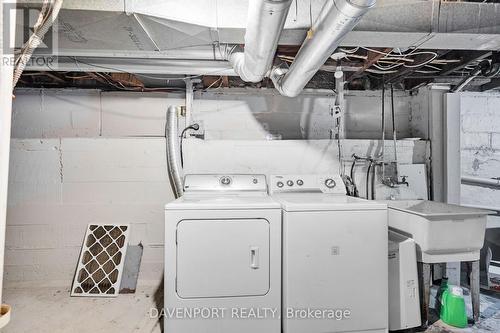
{"x": 173, "y": 154}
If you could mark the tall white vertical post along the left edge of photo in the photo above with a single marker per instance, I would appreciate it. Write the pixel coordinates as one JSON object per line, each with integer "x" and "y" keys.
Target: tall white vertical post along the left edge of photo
{"x": 6, "y": 76}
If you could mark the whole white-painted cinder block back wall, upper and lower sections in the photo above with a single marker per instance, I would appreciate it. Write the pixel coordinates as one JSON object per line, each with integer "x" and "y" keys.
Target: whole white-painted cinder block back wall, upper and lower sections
{"x": 82, "y": 157}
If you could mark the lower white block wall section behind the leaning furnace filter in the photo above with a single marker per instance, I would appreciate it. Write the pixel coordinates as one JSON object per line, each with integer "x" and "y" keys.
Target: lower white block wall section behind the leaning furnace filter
{"x": 58, "y": 186}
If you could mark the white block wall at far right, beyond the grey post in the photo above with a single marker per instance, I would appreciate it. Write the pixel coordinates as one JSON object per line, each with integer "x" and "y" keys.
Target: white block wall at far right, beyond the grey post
{"x": 480, "y": 142}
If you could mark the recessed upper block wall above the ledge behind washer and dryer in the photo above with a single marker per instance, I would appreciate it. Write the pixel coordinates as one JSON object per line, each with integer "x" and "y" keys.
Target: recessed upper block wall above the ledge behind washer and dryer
{"x": 247, "y": 114}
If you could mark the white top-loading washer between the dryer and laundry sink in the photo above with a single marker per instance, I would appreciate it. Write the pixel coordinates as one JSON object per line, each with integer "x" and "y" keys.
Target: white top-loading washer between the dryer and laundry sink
{"x": 335, "y": 268}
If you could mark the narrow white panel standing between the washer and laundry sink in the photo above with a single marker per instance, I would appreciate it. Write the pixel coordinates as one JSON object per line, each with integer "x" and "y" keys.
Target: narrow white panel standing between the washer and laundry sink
{"x": 404, "y": 301}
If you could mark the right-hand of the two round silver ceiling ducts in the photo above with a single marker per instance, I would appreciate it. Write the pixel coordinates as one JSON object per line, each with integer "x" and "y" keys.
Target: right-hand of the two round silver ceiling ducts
{"x": 336, "y": 19}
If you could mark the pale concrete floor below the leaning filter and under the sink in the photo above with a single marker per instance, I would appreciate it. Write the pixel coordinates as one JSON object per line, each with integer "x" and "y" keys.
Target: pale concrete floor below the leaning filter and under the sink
{"x": 51, "y": 310}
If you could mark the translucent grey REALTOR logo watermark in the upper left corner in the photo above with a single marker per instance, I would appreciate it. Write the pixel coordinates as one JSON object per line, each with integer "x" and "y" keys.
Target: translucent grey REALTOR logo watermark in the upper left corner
{"x": 29, "y": 17}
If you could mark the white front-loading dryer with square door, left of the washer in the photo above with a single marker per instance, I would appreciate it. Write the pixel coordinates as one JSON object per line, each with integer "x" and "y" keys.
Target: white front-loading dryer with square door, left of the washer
{"x": 223, "y": 257}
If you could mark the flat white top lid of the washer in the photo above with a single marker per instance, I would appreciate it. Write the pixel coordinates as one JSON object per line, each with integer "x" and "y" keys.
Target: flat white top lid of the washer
{"x": 297, "y": 202}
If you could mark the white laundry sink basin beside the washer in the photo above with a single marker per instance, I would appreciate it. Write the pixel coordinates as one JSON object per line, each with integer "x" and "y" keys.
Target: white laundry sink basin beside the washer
{"x": 442, "y": 232}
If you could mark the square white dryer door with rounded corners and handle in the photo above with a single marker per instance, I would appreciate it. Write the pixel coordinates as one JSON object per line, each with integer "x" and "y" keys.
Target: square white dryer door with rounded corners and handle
{"x": 222, "y": 258}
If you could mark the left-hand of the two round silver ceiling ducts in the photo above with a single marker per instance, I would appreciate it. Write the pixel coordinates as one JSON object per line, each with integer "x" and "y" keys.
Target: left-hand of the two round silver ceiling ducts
{"x": 265, "y": 22}
